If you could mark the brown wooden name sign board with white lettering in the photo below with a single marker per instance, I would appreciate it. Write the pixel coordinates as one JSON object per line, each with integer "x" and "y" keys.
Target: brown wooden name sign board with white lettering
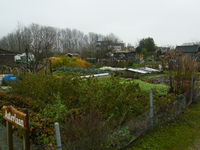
{"x": 14, "y": 116}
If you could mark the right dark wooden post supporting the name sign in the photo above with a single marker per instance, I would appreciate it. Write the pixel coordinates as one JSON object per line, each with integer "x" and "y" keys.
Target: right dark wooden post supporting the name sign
{"x": 26, "y": 140}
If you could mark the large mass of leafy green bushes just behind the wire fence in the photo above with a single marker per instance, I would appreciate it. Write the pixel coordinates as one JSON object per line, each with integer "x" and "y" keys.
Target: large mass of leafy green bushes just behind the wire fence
{"x": 75, "y": 101}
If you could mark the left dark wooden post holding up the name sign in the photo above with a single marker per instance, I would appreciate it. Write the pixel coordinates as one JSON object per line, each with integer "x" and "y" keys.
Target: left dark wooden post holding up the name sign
{"x": 9, "y": 132}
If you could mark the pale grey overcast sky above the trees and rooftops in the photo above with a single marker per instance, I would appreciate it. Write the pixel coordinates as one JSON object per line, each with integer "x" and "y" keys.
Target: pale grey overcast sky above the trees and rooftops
{"x": 168, "y": 22}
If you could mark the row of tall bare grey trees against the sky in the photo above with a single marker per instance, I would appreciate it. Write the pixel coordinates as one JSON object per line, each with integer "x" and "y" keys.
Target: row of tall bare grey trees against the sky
{"x": 44, "y": 40}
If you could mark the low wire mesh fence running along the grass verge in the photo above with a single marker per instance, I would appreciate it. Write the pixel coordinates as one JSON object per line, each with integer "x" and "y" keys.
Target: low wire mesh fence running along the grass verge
{"x": 121, "y": 136}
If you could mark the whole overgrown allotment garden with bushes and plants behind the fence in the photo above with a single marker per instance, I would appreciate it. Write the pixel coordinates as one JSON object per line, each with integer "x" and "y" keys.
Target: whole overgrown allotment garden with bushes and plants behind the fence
{"x": 86, "y": 107}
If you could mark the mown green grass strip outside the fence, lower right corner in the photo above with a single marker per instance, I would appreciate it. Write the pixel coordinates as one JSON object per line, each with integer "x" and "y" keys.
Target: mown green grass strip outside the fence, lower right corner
{"x": 177, "y": 135}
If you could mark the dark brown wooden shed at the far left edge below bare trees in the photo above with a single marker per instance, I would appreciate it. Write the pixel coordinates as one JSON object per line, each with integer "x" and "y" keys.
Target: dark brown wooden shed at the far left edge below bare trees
{"x": 6, "y": 57}
